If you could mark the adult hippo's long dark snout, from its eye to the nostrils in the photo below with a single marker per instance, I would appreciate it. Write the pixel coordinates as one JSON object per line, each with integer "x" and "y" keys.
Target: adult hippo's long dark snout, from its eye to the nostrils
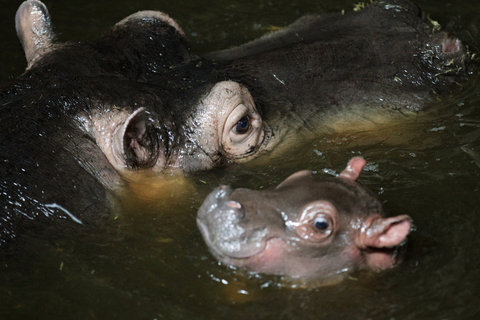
{"x": 360, "y": 66}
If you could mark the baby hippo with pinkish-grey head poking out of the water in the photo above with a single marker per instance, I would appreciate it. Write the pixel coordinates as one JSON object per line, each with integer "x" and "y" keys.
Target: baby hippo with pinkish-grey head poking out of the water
{"x": 308, "y": 228}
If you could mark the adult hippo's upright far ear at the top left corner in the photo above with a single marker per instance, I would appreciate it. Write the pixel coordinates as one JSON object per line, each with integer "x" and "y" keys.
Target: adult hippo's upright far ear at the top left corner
{"x": 34, "y": 29}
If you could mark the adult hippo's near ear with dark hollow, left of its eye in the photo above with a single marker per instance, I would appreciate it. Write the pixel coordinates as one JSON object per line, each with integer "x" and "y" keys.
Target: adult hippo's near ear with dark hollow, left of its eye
{"x": 136, "y": 142}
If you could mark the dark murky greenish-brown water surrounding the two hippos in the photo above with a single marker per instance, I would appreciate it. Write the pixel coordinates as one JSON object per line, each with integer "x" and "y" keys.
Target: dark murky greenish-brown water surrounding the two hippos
{"x": 150, "y": 261}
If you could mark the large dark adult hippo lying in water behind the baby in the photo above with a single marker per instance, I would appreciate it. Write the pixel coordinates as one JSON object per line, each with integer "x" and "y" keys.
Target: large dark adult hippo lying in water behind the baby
{"x": 137, "y": 98}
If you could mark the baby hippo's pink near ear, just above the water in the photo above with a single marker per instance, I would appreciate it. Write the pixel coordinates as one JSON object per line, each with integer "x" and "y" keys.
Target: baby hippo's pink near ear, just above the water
{"x": 384, "y": 232}
